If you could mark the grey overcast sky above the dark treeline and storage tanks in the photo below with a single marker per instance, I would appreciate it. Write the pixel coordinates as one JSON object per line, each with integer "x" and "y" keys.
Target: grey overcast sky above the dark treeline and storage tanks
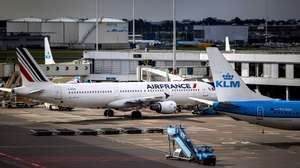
{"x": 152, "y": 10}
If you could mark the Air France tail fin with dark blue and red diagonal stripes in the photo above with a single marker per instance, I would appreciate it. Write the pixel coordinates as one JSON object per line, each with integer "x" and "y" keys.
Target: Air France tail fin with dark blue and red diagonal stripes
{"x": 30, "y": 71}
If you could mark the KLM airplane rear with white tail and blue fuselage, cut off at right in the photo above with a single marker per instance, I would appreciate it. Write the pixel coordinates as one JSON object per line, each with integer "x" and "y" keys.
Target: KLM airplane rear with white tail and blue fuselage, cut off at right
{"x": 238, "y": 101}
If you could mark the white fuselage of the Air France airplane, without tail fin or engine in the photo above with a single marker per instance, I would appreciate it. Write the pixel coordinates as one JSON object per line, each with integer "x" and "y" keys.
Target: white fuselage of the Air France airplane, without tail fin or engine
{"x": 97, "y": 95}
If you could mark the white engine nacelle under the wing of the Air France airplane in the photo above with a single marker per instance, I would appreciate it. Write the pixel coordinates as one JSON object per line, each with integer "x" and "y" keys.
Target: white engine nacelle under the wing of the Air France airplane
{"x": 165, "y": 107}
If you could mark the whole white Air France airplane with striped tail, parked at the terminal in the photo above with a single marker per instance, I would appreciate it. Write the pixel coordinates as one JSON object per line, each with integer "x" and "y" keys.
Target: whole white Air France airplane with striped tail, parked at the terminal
{"x": 162, "y": 97}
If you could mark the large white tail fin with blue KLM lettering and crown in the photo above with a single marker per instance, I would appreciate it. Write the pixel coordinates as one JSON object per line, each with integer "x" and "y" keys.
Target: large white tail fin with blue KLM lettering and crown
{"x": 229, "y": 86}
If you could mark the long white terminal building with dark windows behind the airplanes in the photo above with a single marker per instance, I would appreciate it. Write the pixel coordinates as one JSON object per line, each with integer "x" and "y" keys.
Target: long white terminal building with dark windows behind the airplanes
{"x": 274, "y": 75}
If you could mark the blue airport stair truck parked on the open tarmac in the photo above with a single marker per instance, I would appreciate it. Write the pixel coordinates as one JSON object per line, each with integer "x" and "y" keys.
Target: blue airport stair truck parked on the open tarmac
{"x": 202, "y": 154}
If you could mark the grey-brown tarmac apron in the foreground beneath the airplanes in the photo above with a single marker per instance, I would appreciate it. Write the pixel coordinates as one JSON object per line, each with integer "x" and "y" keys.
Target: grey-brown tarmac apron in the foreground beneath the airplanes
{"x": 236, "y": 143}
